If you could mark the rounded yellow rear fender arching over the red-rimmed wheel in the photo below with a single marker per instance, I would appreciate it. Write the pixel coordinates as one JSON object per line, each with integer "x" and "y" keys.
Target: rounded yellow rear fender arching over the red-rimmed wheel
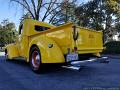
{"x": 48, "y": 55}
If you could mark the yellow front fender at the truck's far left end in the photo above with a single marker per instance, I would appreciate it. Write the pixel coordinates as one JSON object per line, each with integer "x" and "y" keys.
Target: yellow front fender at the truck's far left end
{"x": 12, "y": 51}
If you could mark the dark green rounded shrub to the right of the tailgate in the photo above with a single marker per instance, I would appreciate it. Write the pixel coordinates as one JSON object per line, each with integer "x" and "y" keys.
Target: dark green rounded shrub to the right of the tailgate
{"x": 112, "y": 47}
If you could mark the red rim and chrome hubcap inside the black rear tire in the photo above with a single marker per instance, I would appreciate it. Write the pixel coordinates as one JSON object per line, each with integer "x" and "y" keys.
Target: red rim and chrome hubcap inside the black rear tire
{"x": 35, "y": 59}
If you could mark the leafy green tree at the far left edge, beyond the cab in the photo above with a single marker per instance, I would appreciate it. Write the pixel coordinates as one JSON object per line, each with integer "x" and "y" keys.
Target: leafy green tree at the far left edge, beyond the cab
{"x": 7, "y": 30}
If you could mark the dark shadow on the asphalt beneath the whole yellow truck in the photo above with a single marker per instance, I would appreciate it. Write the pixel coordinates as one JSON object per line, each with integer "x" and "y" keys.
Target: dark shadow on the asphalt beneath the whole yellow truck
{"x": 52, "y": 69}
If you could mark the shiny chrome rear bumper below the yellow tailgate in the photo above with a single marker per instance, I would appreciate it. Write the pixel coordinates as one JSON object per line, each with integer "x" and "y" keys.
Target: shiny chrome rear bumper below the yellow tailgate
{"x": 90, "y": 61}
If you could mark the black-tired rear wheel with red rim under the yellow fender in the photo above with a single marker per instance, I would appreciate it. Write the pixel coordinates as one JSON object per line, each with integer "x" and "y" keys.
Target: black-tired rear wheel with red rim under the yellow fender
{"x": 35, "y": 59}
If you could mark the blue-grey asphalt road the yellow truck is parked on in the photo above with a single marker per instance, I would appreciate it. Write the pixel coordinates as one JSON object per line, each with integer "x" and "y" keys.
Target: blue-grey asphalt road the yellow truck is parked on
{"x": 17, "y": 75}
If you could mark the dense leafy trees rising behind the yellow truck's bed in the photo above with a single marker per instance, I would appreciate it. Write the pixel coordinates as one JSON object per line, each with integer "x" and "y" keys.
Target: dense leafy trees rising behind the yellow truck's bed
{"x": 95, "y": 14}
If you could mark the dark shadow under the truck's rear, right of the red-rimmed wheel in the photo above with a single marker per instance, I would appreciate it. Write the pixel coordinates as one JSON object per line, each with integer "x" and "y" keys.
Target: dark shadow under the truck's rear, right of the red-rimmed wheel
{"x": 54, "y": 69}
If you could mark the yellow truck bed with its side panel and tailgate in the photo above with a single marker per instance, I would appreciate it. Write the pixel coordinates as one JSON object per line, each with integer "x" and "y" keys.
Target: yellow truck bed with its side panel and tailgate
{"x": 88, "y": 41}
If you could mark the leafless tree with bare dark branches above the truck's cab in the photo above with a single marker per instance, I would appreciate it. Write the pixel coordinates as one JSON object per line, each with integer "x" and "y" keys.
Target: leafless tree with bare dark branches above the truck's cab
{"x": 38, "y": 9}
